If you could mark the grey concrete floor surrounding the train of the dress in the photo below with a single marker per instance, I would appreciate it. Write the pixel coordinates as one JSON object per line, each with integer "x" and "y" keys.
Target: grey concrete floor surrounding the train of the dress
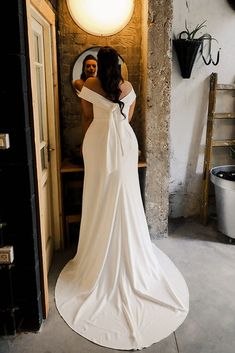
{"x": 207, "y": 261}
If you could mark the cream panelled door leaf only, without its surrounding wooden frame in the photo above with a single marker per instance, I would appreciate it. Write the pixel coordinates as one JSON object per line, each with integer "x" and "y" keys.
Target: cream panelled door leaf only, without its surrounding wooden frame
{"x": 43, "y": 149}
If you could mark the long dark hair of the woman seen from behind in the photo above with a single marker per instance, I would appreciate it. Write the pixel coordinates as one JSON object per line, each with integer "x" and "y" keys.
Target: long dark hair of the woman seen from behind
{"x": 109, "y": 73}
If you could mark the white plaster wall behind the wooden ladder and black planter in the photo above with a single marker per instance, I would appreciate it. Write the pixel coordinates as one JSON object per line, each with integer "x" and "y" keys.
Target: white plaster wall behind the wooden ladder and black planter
{"x": 190, "y": 98}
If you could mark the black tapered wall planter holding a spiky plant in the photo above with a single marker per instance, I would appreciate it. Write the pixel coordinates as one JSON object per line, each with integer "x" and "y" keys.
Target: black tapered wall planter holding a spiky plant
{"x": 186, "y": 51}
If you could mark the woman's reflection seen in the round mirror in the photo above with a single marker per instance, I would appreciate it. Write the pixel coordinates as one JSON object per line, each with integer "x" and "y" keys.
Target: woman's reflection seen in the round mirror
{"x": 89, "y": 69}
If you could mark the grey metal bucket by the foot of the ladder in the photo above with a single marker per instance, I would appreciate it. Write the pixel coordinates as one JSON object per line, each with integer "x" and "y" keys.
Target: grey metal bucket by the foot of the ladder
{"x": 225, "y": 200}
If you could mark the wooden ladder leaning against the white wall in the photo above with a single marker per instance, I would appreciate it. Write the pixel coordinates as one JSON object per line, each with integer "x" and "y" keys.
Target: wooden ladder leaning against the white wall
{"x": 210, "y": 142}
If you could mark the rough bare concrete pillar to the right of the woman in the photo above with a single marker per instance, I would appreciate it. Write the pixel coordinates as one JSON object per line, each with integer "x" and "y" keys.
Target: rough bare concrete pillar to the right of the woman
{"x": 158, "y": 114}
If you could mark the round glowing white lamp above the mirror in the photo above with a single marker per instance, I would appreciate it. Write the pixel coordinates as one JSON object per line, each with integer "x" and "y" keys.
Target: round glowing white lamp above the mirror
{"x": 101, "y": 17}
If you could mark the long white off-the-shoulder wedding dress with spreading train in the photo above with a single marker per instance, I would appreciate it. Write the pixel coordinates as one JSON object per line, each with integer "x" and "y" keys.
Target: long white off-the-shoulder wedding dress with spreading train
{"x": 120, "y": 290}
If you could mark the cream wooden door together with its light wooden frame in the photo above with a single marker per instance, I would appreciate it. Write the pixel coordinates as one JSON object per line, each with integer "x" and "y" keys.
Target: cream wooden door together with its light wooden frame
{"x": 46, "y": 136}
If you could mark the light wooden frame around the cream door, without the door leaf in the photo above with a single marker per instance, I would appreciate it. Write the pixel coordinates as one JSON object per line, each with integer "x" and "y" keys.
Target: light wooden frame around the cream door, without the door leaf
{"x": 43, "y": 9}
